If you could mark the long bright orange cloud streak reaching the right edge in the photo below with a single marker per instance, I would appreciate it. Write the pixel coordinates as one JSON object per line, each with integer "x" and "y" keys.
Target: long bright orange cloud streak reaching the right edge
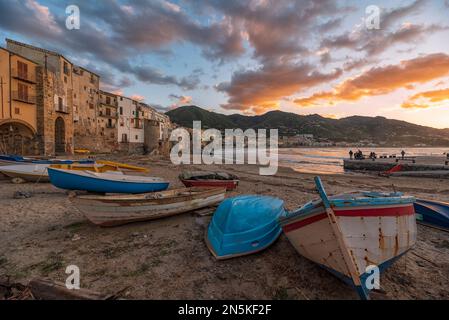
{"x": 383, "y": 80}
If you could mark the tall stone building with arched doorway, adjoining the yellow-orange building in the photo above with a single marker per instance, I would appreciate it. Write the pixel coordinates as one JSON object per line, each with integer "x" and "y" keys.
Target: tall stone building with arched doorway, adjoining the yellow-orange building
{"x": 56, "y": 85}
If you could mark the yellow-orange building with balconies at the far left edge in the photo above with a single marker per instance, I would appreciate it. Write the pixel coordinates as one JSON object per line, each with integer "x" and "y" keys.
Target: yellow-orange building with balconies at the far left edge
{"x": 18, "y": 110}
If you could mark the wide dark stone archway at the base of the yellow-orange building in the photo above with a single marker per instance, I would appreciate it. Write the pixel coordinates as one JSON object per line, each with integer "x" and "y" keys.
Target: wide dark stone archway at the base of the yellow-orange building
{"x": 17, "y": 137}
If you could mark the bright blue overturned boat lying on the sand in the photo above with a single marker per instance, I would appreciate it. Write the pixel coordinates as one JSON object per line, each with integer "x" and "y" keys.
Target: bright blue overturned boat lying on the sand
{"x": 243, "y": 225}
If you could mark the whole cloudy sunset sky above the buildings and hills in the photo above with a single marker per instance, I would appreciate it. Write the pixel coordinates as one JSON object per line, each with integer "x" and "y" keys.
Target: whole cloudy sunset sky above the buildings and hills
{"x": 327, "y": 57}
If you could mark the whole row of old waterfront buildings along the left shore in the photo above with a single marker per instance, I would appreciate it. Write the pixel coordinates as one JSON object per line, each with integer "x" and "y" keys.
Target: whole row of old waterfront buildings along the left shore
{"x": 51, "y": 106}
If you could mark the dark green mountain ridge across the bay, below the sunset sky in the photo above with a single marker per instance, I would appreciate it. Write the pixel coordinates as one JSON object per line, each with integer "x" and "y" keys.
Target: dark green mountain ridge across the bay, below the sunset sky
{"x": 353, "y": 129}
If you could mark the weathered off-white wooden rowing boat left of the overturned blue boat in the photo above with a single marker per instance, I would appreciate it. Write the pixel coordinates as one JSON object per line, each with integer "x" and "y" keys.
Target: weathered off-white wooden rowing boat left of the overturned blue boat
{"x": 116, "y": 210}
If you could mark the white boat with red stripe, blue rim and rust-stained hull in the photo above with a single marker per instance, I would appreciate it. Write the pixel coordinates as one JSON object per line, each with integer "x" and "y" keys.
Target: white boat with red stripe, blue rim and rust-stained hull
{"x": 349, "y": 234}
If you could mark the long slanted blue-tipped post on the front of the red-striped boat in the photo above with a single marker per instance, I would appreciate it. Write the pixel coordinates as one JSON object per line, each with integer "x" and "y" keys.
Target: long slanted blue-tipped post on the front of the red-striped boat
{"x": 349, "y": 261}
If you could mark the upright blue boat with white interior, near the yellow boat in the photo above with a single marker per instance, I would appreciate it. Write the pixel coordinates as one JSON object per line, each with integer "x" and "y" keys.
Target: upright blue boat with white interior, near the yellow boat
{"x": 105, "y": 182}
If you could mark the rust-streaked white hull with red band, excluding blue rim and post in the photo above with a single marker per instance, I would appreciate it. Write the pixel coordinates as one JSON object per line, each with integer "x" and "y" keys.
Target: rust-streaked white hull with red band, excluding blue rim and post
{"x": 372, "y": 240}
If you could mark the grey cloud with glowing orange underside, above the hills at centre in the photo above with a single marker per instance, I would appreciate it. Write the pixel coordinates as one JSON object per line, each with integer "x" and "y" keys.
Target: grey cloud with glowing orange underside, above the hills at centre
{"x": 261, "y": 90}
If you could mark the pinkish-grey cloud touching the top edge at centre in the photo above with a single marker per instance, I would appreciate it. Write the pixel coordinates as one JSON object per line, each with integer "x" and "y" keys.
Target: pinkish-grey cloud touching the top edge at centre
{"x": 276, "y": 29}
